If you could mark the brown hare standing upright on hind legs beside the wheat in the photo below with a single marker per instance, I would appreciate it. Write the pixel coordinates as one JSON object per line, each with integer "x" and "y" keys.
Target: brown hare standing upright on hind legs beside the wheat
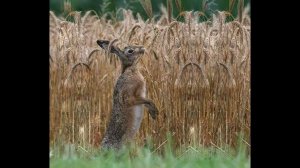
{"x": 128, "y": 98}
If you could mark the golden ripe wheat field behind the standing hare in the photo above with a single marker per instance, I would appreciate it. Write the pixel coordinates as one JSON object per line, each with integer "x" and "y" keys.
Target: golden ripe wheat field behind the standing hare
{"x": 197, "y": 74}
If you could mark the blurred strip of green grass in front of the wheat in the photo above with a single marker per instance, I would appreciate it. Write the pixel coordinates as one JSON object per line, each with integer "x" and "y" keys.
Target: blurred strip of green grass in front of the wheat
{"x": 144, "y": 158}
